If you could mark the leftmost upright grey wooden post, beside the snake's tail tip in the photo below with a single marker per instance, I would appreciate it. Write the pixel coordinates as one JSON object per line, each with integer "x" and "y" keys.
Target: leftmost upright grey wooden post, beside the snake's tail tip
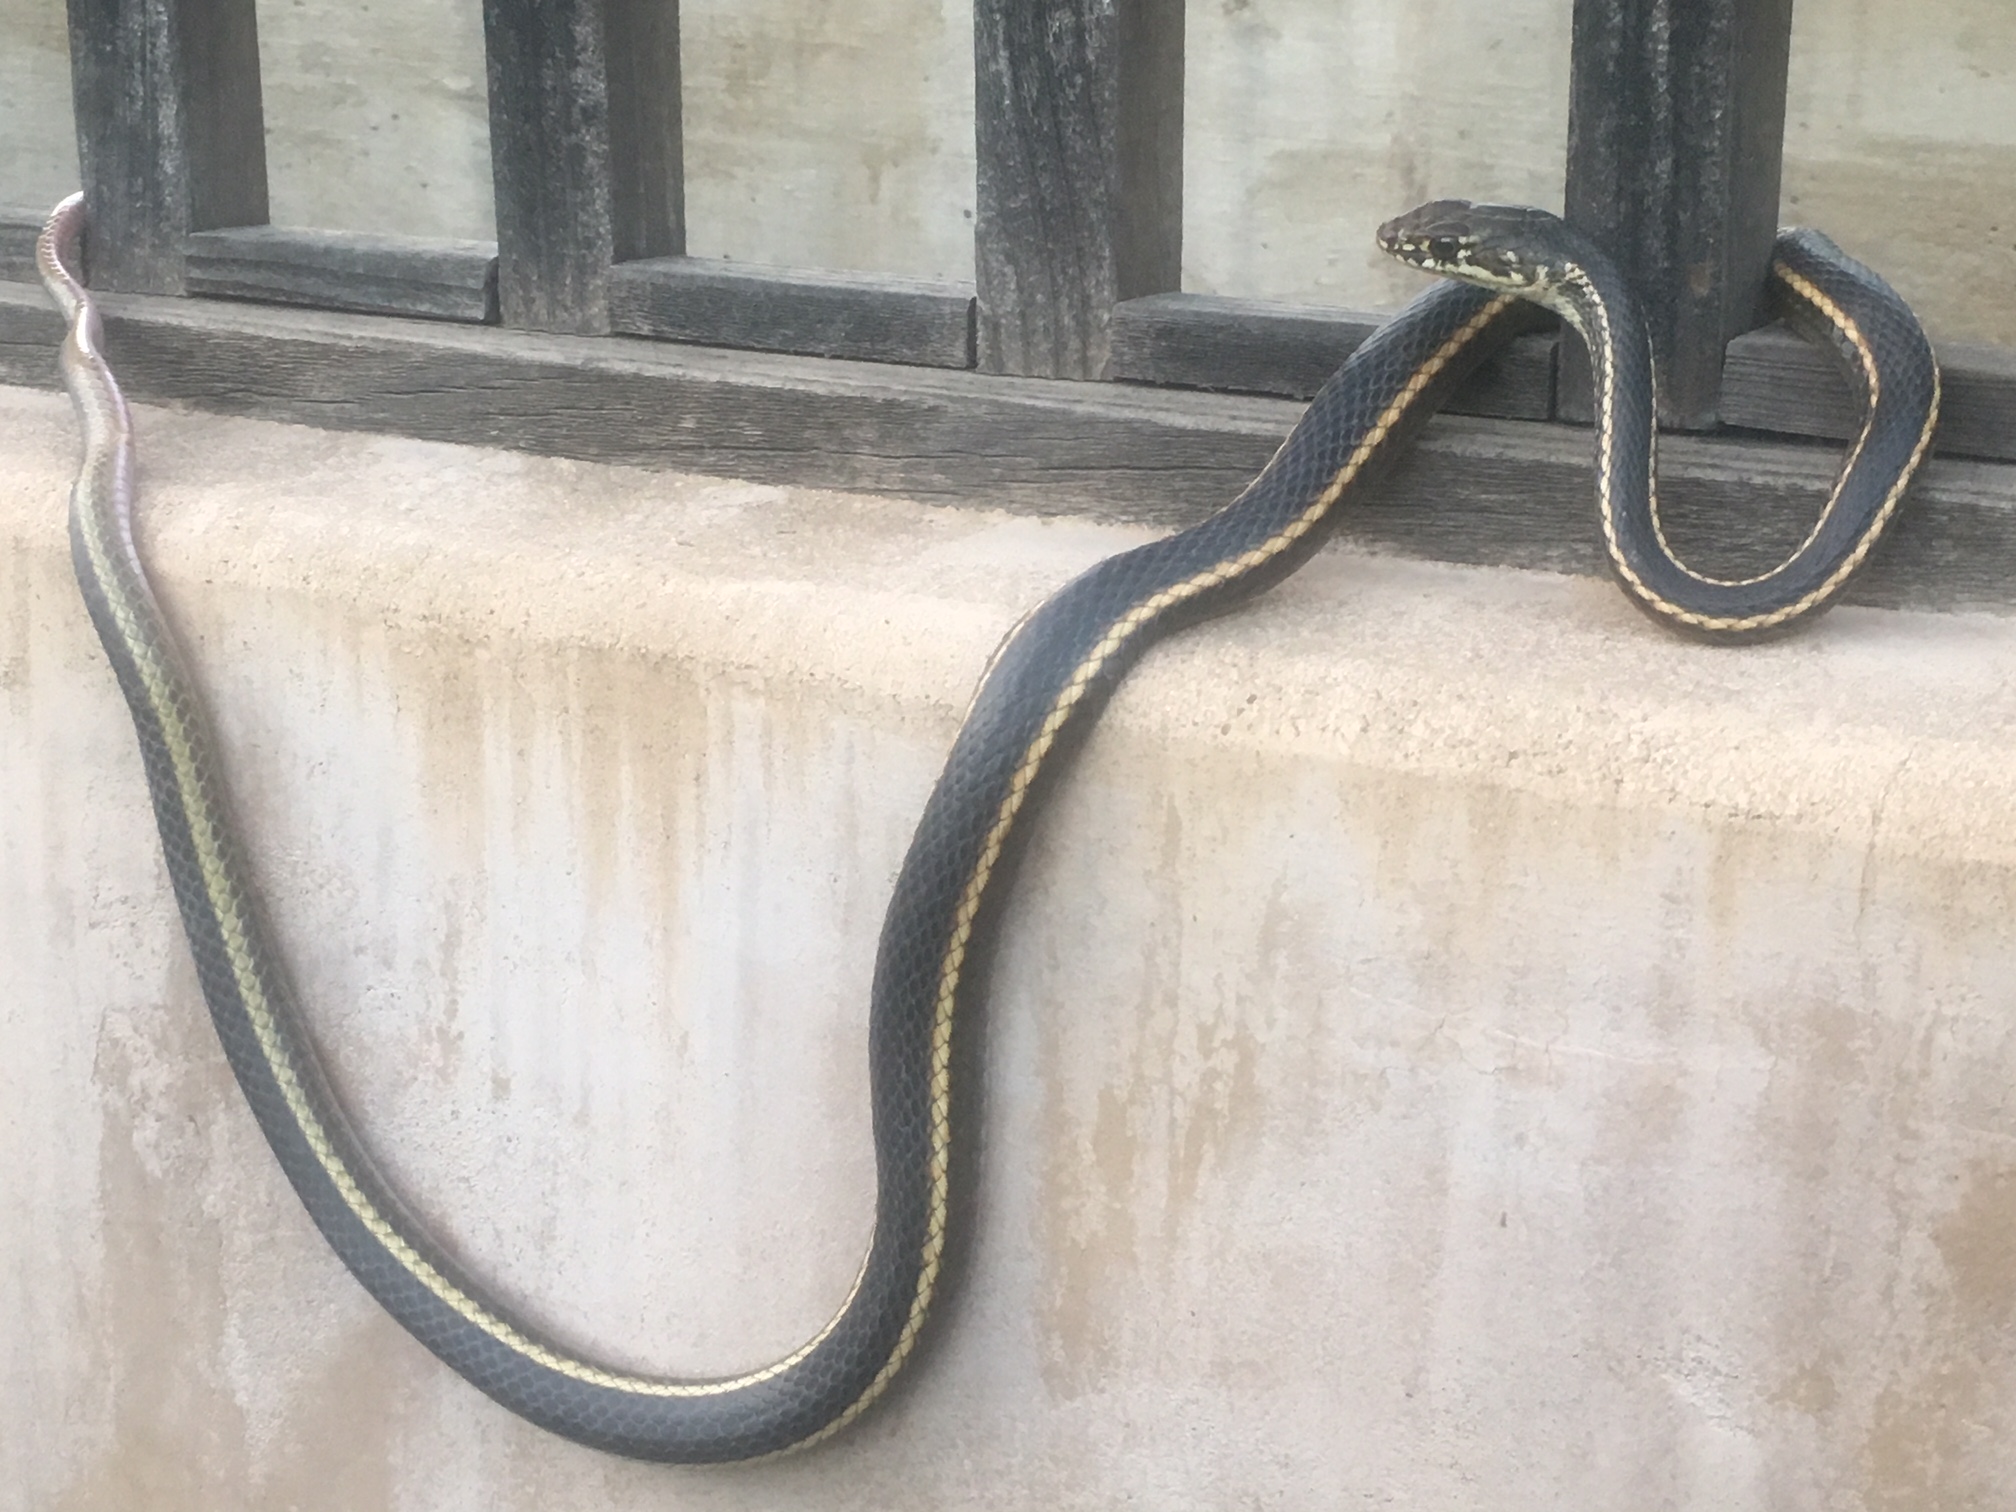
{"x": 170, "y": 132}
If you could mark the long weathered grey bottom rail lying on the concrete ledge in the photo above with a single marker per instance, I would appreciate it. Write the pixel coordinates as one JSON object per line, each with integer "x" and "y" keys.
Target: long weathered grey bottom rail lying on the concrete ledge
{"x": 1473, "y": 491}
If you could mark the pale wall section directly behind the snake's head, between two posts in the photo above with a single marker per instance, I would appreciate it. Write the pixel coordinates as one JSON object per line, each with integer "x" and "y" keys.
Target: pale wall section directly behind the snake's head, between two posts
{"x": 1309, "y": 122}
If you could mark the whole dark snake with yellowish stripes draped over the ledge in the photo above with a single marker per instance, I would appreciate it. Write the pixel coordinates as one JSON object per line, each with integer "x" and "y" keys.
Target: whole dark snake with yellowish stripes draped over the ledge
{"x": 1037, "y": 703}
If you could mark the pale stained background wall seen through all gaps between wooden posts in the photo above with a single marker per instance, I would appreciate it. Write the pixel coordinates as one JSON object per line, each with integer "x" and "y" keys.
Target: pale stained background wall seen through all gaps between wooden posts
{"x": 842, "y": 134}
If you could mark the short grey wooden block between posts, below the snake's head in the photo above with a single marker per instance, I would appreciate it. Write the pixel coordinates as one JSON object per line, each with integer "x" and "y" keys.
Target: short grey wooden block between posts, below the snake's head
{"x": 1249, "y": 346}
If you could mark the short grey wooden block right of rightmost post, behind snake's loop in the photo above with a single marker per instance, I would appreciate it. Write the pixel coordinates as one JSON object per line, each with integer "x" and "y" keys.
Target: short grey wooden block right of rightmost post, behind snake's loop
{"x": 1777, "y": 382}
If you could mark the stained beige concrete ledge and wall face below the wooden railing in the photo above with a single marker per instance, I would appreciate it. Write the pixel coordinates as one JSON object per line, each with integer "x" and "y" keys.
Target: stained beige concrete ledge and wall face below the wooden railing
{"x": 1455, "y": 1045}
